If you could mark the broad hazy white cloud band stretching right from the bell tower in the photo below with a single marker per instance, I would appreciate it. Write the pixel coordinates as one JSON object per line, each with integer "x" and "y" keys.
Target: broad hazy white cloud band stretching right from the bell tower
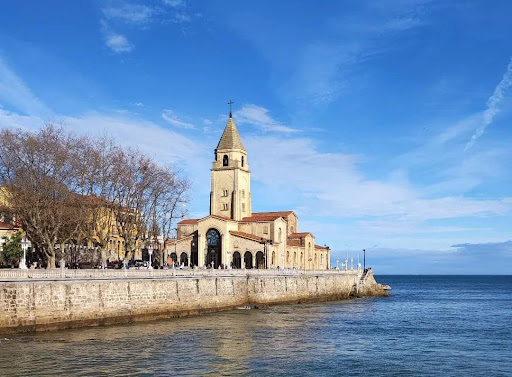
{"x": 330, "y": 184}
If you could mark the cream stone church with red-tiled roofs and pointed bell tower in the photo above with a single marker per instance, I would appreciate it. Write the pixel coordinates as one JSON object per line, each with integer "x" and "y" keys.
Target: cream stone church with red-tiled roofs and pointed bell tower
{"x": 233, "y": 236}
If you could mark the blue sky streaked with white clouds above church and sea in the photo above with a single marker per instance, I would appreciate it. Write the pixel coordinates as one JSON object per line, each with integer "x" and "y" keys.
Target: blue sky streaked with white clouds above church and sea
{"x": 384, "y": 124}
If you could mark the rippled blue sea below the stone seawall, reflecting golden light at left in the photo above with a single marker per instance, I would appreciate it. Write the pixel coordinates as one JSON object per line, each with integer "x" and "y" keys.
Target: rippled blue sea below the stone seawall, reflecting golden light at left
{"x": 429, "y": 326}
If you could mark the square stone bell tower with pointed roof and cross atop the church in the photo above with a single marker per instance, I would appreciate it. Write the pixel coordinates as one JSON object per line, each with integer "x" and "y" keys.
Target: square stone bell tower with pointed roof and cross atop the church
{"x": 230, "y": 194}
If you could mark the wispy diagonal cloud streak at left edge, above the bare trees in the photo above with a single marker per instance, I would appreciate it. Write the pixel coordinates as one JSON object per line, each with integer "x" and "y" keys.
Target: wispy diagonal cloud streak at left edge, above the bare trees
{"x": 14, "y": 92}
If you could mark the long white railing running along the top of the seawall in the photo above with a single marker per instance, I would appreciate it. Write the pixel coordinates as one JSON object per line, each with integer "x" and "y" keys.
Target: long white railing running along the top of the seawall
{"x": 56, "y": 274}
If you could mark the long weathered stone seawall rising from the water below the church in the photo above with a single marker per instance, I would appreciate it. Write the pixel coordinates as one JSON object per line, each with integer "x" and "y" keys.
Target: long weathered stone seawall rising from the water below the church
{"x": 51, "y": 305}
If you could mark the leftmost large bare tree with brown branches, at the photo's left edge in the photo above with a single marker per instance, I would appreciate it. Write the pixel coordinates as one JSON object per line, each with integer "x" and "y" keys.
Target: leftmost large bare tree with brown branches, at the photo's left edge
{"x": 35, "y": 170}
